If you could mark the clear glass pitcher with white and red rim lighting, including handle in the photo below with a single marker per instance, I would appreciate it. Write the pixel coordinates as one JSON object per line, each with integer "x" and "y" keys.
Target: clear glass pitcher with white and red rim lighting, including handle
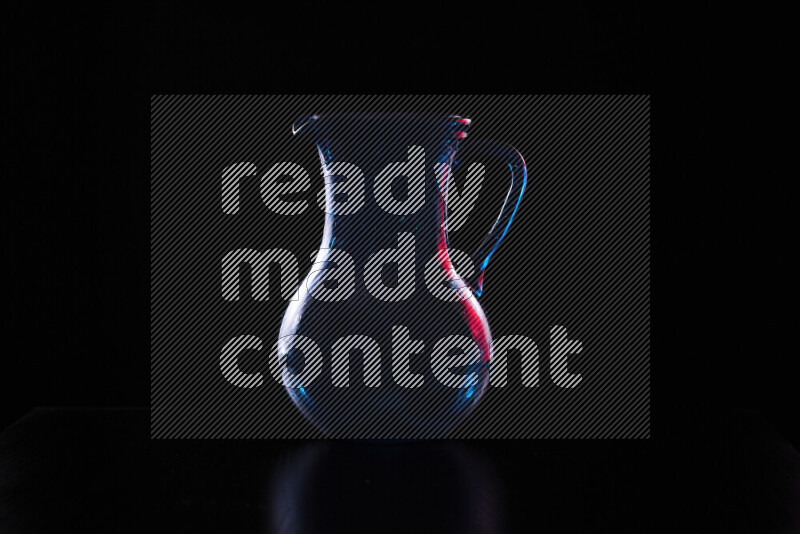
{"x": 384, "y": 339}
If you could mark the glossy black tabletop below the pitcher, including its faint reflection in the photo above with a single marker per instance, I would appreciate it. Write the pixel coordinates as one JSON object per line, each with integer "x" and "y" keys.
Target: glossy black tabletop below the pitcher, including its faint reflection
{"x": 89, "y": 471}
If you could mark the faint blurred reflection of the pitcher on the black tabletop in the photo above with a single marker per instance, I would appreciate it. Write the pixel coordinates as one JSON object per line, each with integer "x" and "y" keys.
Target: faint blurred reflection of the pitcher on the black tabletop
{"x": 438, "y": 486}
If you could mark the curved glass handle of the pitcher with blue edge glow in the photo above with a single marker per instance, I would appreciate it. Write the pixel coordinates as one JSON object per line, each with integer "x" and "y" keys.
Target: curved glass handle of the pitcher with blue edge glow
{"x": 519, "y": 177}
